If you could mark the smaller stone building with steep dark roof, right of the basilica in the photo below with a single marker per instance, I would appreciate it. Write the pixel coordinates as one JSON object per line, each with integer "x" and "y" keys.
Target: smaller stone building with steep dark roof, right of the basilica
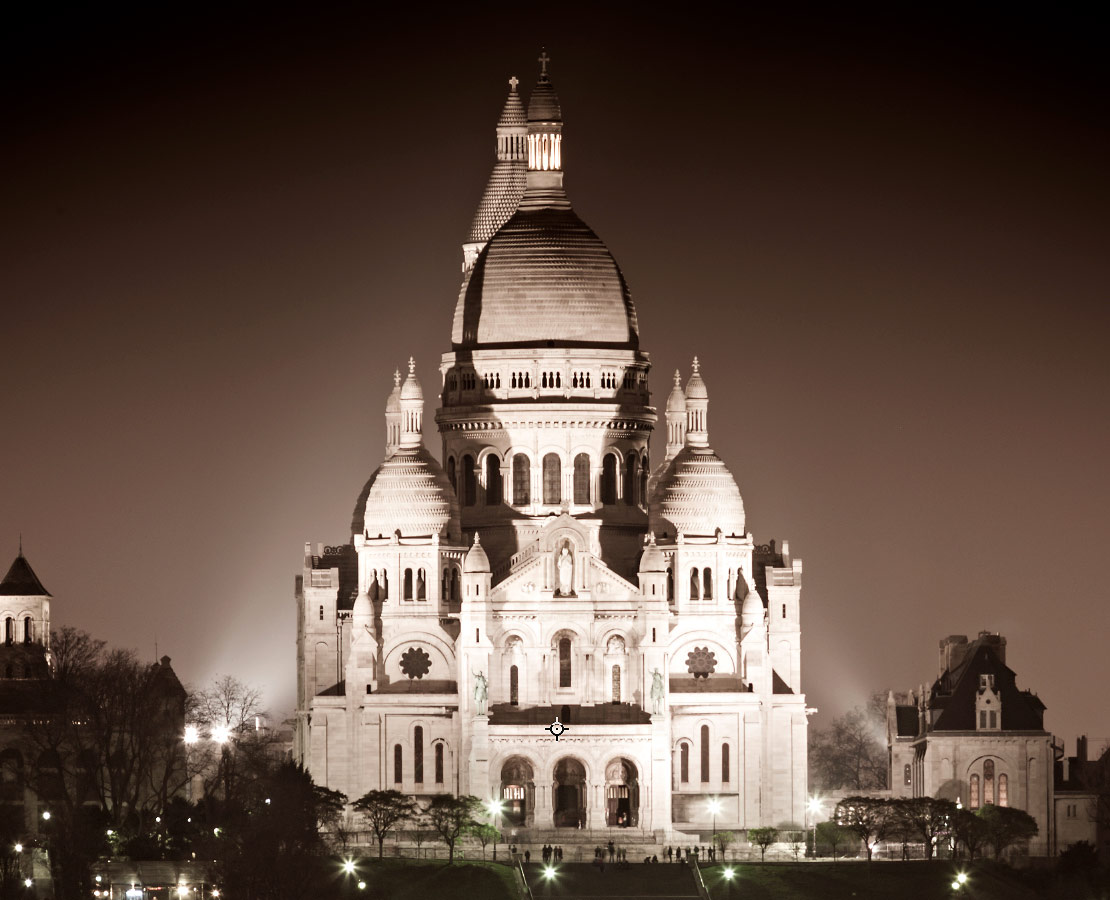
{"x": 975, "y": 737}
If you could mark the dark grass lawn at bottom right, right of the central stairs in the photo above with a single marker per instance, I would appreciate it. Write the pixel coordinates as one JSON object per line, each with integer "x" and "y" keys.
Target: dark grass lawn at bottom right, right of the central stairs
{"x": 905, "y": 881}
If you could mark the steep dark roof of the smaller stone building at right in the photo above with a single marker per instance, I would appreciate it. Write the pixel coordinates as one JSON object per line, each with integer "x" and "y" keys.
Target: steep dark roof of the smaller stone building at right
{"x": 954, "y": 694}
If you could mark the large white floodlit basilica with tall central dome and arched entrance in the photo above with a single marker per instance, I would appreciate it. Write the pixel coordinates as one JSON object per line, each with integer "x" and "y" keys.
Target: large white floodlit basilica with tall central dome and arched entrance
{"x": 548, "y": 569}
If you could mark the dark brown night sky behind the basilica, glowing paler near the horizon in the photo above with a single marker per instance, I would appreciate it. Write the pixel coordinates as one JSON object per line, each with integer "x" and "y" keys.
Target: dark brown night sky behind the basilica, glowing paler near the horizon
{"x": 885, "y": 238}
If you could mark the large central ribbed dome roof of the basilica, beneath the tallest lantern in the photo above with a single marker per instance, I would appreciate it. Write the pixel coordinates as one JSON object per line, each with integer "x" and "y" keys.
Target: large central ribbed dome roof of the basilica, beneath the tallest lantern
{"x": 546, "y": 276}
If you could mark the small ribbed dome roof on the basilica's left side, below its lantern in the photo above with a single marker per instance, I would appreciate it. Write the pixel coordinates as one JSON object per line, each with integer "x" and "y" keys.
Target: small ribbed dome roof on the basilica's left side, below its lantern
{"x": 409, "y": 492}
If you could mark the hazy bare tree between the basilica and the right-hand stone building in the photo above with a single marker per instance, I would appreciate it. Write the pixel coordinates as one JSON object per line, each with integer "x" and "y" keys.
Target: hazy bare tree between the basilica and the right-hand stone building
{"x": 851, "y": 754}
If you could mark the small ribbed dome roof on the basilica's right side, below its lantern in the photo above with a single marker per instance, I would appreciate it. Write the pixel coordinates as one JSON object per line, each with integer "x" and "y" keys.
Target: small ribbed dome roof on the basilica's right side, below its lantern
{"x": 697, "y": 495}
